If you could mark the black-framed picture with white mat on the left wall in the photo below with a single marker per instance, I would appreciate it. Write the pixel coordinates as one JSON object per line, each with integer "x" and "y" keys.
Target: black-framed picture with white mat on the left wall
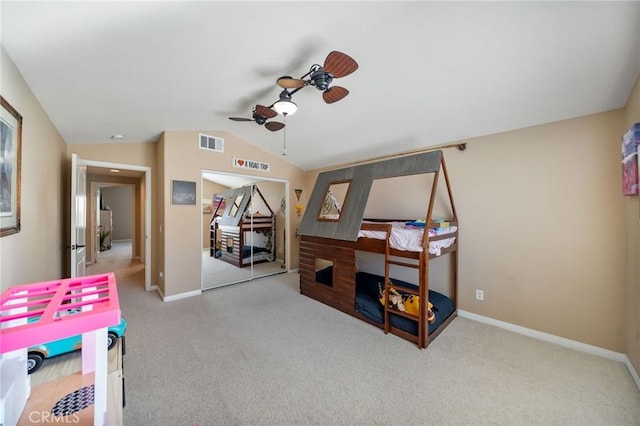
{"x": 10, "y": 161}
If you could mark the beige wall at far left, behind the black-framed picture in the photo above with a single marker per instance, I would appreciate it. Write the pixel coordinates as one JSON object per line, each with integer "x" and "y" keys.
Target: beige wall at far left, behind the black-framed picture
{"x": 37, "y": 252}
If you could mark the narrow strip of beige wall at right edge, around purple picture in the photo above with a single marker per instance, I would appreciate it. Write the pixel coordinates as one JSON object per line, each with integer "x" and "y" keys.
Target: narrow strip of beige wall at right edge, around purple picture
{"x": 632, "y": 244}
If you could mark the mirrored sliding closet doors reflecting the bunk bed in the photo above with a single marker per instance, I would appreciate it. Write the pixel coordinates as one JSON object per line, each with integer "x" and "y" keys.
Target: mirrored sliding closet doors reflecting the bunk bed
{"x": 244, "y": 222}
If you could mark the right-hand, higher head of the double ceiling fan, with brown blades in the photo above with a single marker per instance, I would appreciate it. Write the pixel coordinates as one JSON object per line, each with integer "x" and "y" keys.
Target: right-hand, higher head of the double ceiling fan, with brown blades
{"x": 336, "y": 65}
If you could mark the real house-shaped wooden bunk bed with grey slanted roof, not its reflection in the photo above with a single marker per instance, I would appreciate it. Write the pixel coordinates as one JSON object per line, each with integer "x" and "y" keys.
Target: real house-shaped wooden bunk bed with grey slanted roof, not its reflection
{"x": 334, "y": 232}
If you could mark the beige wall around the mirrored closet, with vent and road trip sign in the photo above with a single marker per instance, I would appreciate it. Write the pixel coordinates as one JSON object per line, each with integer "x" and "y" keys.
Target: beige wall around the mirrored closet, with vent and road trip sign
{"x": 183, "y": 160}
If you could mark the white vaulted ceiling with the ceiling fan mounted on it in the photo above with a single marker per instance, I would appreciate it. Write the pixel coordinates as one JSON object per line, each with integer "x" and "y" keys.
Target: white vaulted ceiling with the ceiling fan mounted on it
{"x": 430, "y": 73}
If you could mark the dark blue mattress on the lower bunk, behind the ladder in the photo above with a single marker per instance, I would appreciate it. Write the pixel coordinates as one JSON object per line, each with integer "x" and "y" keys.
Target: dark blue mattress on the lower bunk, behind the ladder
{"x": 368, "y": 304}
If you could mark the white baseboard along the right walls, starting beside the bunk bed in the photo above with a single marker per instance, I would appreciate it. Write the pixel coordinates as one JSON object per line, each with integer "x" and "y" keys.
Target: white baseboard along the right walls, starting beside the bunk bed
{"x": 550, "y": 338}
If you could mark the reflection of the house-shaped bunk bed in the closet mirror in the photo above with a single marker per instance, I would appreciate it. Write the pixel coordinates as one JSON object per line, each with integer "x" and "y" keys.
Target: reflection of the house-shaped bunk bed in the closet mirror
{"x": 246, "y": 230}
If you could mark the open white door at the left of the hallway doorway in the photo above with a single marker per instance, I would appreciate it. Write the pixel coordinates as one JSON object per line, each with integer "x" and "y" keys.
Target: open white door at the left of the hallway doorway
{"x": 78, "y": 216}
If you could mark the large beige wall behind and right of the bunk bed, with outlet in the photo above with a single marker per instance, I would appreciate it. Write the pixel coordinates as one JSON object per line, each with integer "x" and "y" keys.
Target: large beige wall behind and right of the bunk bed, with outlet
{"x": 540, "y": 227}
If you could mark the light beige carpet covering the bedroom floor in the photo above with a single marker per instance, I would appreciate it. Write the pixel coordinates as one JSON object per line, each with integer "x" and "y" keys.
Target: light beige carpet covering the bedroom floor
{"x": 259, "y": 353}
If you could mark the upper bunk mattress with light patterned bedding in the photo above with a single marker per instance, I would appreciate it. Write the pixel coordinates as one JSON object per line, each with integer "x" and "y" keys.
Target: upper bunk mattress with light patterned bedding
{"x": 409, "y": 238}
